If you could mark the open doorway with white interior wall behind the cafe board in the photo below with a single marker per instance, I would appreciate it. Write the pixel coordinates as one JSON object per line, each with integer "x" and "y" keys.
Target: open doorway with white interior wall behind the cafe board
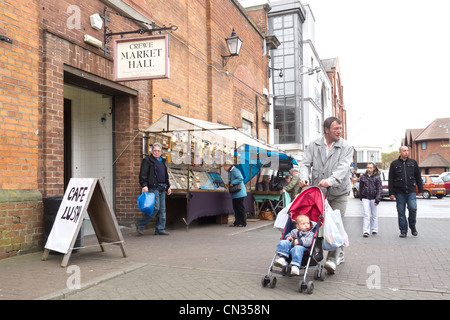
{"x": 88, "y": 128}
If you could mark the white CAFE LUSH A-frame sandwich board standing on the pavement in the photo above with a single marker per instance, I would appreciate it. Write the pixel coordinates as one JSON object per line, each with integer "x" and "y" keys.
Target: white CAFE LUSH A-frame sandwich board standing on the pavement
{"x": 82, "y": 195}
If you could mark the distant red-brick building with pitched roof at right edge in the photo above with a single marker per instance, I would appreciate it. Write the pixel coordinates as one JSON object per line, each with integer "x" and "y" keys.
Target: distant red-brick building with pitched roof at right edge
{"x": 430, "y": 147}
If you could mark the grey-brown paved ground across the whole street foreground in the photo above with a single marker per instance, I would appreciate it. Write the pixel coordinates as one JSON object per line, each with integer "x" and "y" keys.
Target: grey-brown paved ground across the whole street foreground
{"x": 216, "y": 262}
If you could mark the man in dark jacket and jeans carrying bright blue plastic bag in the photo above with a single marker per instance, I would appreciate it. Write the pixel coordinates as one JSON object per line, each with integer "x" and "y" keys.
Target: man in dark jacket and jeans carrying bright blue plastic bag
{"x": 153, "y": 177}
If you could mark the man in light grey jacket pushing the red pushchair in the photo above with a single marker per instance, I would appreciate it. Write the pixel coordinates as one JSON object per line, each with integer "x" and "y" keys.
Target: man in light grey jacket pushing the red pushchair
{"x": 327, "y": 161}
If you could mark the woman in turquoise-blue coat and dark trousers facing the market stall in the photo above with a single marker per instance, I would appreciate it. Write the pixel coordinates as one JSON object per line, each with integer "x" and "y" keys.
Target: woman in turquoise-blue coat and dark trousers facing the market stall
{"x": 235, "y": 178}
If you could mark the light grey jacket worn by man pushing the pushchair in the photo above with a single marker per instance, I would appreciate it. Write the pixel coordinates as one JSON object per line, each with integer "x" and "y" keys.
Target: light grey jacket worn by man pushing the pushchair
{"x": 335, "y": 168}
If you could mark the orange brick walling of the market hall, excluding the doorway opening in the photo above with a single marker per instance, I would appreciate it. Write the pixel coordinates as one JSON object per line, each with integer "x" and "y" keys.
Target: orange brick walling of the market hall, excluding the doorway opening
{"x": 31, "y": 99}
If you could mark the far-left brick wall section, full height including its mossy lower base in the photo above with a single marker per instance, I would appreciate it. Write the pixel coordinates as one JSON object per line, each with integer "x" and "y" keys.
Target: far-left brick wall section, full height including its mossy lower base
{"x": 20, "y": 223}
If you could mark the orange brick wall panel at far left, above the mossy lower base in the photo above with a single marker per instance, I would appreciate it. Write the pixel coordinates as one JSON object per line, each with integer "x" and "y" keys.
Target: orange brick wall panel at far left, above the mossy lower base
{"x": 18, "y": 95}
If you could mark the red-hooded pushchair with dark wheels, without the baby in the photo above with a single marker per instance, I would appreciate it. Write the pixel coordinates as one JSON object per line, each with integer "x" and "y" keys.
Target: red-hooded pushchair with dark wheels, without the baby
{"x": 310, "y": 202}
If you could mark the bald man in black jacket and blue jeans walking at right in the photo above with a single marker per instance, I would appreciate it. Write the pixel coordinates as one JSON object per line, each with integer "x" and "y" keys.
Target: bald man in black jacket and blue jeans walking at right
{"x": 404, "y": 176}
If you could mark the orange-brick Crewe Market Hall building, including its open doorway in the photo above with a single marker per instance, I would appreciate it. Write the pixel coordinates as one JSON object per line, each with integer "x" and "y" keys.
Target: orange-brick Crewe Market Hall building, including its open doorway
{"x": 63, "y": 116}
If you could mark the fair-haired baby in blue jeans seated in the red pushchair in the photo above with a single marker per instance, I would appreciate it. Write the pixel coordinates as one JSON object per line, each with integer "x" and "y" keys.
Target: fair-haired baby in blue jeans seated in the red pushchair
{"x": 295, "y": 243}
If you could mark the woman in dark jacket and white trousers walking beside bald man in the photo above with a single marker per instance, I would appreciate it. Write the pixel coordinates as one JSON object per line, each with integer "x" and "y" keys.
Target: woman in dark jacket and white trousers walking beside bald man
{"x": 370, "y": 194}
